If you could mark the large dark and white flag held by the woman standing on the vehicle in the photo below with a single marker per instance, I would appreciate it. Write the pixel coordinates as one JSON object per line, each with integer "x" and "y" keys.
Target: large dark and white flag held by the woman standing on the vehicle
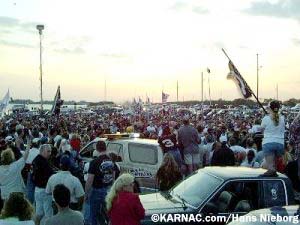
{"x": 237, "y": 77}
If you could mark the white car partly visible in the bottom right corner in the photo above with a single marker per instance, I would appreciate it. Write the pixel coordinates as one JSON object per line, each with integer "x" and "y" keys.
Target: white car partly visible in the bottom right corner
{"x": 286, "y": 215}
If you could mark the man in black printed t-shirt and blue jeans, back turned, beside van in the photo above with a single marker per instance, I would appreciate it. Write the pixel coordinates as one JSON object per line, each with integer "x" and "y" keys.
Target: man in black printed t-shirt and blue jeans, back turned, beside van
{"x": 101, "y": 175}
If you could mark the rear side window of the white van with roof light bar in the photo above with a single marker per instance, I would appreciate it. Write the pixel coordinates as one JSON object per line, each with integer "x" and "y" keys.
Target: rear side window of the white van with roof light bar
{"x": 140, "y": 153}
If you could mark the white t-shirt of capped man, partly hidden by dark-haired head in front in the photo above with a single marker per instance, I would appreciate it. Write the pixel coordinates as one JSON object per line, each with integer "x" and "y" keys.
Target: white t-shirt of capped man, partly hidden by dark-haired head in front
{"x": 70, "y": 181}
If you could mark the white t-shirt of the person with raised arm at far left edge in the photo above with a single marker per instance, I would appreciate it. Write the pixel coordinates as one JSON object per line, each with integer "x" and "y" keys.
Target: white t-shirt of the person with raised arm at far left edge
{"x": 11, "y": 179}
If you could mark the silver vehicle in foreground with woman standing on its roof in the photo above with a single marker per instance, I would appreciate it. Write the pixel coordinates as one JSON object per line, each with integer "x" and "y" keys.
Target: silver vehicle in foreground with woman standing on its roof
{"x": 219, "y": 191}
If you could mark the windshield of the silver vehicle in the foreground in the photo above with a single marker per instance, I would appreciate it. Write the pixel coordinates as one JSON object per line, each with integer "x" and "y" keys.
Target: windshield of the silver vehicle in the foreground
{"x": 196, "y": 188}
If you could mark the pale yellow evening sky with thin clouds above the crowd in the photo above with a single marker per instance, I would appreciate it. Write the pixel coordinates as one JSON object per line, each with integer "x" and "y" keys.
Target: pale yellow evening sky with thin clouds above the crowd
{"x": 141, "y": 47}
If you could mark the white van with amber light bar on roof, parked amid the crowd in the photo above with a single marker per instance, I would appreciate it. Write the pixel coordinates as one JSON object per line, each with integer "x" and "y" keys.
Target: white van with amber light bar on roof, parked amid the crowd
{"x": 140, "y": 157}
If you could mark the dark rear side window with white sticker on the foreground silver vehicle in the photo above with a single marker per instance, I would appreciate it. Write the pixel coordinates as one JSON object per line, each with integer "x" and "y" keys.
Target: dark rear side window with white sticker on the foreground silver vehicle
{"x": 274, "y": 193}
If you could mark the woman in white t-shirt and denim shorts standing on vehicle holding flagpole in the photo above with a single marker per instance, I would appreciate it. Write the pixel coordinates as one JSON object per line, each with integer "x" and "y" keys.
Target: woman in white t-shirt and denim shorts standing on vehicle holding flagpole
{"x": 273, "y": 142}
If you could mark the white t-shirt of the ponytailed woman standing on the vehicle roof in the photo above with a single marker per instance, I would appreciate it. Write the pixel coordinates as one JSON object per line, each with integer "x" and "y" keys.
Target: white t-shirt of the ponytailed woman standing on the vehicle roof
{"x": 273, "y": 133}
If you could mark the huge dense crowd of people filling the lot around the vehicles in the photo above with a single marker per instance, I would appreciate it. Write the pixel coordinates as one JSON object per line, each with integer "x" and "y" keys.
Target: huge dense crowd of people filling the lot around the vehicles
{"x": 42, "y": 173}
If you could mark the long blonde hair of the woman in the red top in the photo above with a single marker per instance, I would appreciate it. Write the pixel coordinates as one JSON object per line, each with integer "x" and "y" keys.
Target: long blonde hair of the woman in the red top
{"x": 123, "y": 180}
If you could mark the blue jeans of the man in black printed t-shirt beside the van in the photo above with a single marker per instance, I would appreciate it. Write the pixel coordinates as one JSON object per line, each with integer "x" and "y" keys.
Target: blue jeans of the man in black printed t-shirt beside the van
{"x": 97, "y": 204}
